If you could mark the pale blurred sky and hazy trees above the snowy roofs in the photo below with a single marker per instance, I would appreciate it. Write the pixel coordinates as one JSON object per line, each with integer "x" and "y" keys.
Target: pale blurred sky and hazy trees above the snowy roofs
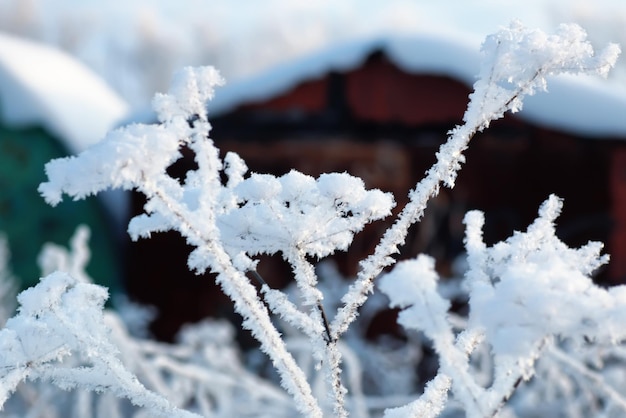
{"x": 136, "y": 46}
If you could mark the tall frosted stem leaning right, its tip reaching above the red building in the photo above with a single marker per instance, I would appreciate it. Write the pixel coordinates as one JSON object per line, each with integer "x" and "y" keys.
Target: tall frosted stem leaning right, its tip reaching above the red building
{"x": 516, "y": 62}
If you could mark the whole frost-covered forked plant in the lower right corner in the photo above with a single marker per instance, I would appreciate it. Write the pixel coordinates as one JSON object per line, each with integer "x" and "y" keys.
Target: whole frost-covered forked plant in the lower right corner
{"x": 530, "y": 275}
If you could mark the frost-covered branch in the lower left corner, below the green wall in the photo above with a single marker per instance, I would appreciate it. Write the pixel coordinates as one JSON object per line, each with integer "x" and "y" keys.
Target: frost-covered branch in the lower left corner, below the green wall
{"x": 62, "y": 317}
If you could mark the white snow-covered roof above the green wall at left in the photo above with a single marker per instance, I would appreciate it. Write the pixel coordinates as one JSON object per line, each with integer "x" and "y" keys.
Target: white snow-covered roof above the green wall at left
{"x": 43, "y": 86}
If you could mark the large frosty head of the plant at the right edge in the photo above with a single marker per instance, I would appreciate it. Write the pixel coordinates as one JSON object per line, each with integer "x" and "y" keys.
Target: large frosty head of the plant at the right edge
{"x": 534, "y": 275}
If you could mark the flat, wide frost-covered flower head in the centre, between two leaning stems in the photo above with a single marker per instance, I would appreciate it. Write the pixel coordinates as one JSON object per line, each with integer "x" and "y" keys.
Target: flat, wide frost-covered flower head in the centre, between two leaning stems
{"x": 336, "y": 203}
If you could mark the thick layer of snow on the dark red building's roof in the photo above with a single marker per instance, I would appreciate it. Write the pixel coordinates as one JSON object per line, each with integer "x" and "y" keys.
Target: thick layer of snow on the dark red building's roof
{"x": 581, "y": 105}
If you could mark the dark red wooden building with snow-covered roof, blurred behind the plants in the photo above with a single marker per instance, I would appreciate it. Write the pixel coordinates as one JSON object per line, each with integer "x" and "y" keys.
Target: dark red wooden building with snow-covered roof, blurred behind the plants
{"x": 379, "y": 110}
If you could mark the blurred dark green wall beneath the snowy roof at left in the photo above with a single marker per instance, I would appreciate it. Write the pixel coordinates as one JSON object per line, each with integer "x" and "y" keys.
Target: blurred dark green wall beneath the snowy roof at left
{"x": 29, "y": 222}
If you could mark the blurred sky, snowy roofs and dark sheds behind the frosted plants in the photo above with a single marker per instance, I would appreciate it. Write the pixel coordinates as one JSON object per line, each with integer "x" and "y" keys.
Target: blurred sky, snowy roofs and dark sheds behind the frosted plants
{"x": 368, "y": 87}
